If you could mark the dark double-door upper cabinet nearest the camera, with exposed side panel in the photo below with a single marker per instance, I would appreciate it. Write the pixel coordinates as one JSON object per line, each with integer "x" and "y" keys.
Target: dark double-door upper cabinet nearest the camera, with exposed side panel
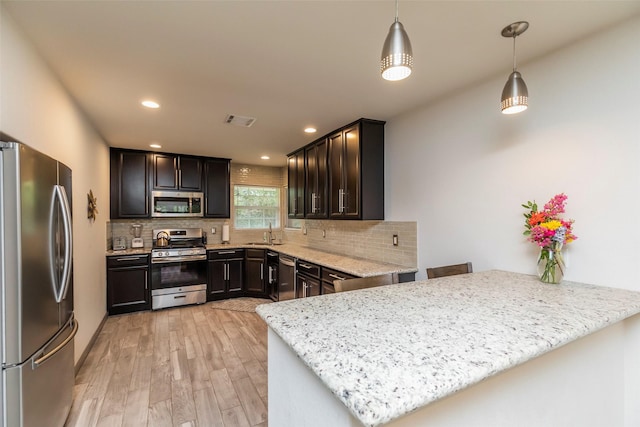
{"x": 356, "y": 171}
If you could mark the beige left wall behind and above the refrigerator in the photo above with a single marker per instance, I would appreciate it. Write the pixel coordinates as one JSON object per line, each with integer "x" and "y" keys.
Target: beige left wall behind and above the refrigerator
{"x": 37, "y": 110}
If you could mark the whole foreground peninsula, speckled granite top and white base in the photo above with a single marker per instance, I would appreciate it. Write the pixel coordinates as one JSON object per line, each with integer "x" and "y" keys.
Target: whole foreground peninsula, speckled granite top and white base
{"x": 490, "y": 348}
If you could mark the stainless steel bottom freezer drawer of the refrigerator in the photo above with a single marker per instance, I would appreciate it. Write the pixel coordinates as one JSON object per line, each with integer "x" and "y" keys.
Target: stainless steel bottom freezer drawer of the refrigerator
{"x": 39, "y": 395}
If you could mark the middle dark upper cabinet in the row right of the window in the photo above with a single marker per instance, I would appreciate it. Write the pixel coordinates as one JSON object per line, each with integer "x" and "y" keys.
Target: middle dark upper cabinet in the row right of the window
{"x": 317, "y": 180}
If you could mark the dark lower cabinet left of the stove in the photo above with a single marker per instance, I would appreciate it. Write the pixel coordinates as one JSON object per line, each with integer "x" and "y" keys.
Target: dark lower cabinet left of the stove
{"x": 128, "y": 287}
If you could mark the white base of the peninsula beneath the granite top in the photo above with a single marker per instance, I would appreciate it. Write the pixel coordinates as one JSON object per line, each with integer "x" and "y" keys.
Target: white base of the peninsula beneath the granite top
{"x": 588, "y": 382}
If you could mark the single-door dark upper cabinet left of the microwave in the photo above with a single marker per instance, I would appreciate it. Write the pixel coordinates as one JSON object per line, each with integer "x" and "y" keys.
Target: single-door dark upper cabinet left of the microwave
{"x": 129, "y": 184}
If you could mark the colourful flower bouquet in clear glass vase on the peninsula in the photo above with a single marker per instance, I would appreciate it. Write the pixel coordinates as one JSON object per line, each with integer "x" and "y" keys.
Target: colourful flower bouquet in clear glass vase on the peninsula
{"x": 550, "y": 232}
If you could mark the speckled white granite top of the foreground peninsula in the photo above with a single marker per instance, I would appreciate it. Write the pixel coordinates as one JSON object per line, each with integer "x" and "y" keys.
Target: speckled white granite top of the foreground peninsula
{"x": 387, "y": 351}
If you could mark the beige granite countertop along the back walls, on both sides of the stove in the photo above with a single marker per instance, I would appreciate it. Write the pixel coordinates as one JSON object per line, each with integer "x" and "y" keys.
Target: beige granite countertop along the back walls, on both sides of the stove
{"x": 356, "y": 266}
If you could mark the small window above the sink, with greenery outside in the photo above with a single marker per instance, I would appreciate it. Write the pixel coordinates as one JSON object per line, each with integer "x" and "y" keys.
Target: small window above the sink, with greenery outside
{"x": 256, "y": 207}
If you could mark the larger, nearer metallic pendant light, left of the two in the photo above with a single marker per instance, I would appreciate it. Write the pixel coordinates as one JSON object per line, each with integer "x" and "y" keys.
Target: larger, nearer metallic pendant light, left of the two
{"x": 396, "y": 61}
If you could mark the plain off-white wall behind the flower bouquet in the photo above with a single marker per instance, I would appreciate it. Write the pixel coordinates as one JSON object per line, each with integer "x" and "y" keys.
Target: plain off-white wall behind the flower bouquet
{"x": 462, "y": 169}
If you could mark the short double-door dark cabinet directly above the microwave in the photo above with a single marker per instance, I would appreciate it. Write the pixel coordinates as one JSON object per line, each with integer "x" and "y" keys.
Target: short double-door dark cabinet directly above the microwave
{"x": 175, "y": 172}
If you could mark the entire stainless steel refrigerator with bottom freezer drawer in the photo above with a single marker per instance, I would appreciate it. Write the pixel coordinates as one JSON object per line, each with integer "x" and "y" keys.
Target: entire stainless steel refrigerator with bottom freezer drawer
{"x": 37, "y": 322}
